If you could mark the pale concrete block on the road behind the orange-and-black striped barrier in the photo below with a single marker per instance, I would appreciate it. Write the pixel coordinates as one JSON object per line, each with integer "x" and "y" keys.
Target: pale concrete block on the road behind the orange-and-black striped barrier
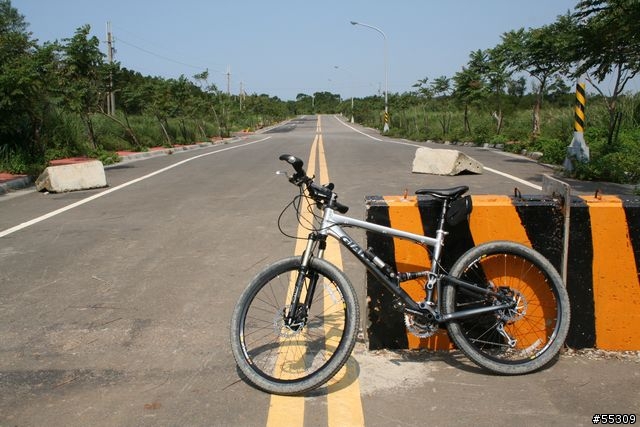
{"x": 444, "y": 162}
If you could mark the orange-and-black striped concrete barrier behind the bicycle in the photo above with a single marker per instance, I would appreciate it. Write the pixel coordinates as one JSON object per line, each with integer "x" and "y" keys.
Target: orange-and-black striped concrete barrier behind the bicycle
{"x": 603, "y": 258}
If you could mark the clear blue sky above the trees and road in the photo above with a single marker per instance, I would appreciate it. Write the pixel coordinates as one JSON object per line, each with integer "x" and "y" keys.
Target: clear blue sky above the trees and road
{"x": 283, "y": 48}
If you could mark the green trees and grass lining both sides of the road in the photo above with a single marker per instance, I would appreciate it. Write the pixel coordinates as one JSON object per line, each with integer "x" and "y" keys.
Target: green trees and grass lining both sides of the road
{"x": 54, "y": 96}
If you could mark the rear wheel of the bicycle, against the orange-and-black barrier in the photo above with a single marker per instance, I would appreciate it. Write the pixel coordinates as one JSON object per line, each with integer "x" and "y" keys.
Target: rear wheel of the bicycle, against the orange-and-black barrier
{"x": 539, "y": 324}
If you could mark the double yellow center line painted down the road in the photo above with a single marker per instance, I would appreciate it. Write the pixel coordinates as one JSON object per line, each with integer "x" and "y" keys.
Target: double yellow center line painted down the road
{"x": 344, "y": 405}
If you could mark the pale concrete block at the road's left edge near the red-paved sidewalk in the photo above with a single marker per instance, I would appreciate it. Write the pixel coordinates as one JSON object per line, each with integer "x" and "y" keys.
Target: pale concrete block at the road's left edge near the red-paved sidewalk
{"x": 72, "y": 177}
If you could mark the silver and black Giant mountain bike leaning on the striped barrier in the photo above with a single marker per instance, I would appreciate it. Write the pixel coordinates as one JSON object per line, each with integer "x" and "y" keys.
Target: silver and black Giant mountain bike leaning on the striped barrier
{"x": 295, "y": 325}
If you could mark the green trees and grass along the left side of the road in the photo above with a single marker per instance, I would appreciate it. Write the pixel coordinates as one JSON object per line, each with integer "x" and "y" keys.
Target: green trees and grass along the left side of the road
{"x": 54, "y": 102}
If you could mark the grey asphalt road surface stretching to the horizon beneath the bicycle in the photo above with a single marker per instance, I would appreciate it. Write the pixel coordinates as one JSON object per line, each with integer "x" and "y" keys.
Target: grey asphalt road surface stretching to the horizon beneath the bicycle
{"x": 115, "y": 303}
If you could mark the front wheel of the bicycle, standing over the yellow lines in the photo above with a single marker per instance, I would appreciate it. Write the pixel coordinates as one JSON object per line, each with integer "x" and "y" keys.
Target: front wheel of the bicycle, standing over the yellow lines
{"x": 279, "y": 360}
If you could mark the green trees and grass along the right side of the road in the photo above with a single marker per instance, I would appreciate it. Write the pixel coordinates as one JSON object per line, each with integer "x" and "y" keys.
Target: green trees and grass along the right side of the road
{"x": 488, "y": 100}
